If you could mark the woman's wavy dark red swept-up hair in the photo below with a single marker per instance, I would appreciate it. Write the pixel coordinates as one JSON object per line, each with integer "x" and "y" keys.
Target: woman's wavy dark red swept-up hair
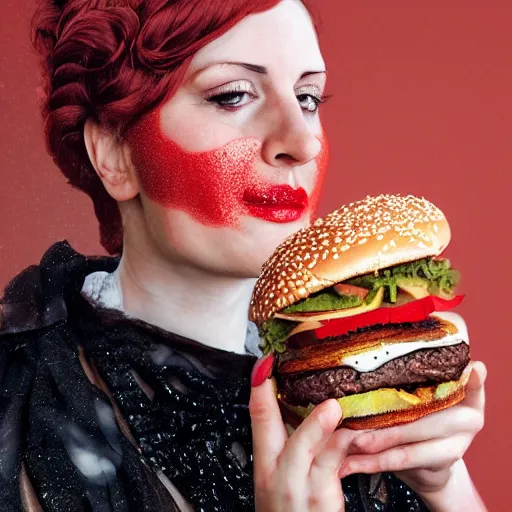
{"x": 112, "y": 61}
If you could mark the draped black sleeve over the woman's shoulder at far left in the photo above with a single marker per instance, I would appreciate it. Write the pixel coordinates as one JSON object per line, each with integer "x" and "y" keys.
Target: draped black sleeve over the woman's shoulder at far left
{"x": 57, "y": 430}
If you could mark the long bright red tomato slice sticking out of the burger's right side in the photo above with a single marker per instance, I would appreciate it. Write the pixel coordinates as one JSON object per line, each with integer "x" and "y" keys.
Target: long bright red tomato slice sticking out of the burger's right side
{"x": 414, "y": 311}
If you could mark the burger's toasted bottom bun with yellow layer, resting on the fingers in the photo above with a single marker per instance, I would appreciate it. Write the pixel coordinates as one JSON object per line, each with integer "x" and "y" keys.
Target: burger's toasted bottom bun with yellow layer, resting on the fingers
{"x": 387, "y": 407}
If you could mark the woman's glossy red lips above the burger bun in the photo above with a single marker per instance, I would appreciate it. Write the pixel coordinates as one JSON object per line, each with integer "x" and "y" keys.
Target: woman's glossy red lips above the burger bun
{"x": 277, "y": 203}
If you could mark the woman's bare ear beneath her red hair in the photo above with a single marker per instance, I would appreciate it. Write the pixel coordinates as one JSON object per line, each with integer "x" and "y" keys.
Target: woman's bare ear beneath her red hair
{"x": 111, "y": 160}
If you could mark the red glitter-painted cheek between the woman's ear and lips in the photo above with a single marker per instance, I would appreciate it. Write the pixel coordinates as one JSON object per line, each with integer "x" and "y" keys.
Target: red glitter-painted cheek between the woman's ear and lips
{"x": 207, "y": 185}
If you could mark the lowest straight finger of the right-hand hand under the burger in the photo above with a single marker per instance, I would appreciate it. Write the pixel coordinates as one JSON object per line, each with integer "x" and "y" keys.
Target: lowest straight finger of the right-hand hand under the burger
{"x": 432, "y": 454}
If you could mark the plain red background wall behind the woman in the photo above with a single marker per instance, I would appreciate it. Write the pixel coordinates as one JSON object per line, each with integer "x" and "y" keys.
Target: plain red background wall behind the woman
{"x": 422, "y": 105}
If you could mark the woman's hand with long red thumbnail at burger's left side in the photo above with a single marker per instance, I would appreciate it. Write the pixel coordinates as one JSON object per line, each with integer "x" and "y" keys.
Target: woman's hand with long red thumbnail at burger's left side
{"x": 297, "y": 472}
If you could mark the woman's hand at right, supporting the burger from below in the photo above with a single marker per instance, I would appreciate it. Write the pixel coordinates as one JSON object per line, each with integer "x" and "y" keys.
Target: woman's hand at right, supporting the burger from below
{"x": 427, "y": 454}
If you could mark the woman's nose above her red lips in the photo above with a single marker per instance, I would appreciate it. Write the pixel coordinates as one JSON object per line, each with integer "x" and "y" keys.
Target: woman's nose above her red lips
{"x": 290, "y": 141}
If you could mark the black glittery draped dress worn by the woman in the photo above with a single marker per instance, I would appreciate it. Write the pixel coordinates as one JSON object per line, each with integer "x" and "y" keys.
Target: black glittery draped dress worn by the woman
{"x": 97, "y": 410}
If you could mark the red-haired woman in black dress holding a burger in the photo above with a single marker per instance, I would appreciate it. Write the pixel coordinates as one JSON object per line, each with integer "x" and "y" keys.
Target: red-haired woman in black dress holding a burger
{"x": 194, "y": 128}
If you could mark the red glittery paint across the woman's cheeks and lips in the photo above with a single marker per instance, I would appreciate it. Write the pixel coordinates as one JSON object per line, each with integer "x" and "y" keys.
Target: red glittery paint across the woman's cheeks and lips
{"x": 212, "y": 186}
